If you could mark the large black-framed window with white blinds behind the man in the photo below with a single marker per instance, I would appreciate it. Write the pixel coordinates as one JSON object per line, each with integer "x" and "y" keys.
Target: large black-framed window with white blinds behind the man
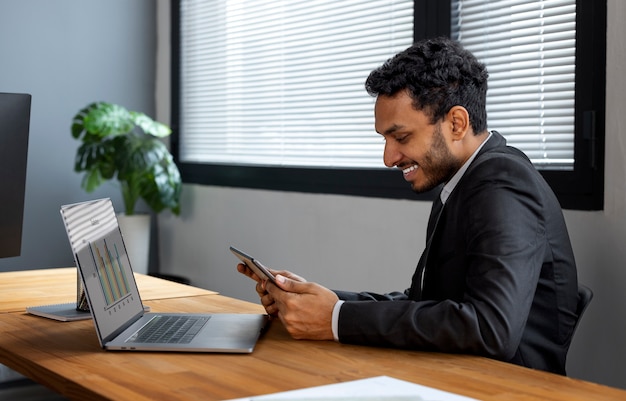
{"x": 278, "y": 103}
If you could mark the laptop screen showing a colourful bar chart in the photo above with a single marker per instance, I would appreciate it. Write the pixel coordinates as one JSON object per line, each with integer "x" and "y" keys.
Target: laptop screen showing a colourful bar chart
{"x": 101, "y": 257}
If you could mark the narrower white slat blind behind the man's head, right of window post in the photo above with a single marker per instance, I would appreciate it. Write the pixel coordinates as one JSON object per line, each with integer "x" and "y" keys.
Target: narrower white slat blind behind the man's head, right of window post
{"x": 529, "y": 49}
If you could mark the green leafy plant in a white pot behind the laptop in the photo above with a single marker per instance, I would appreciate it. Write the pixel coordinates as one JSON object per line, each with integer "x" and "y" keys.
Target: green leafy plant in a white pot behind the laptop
{"x": 118, "y": 144}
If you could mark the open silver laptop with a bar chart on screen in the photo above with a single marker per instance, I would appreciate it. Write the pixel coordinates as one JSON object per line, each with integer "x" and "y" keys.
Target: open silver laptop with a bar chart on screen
{"x": 115, "y": 304}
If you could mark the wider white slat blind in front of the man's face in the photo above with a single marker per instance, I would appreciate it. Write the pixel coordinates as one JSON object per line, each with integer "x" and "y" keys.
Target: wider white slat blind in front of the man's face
{"x": 282, "y": 82}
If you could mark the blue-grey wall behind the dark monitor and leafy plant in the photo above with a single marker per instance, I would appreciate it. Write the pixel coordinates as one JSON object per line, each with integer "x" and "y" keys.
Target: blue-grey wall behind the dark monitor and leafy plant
{"x": 67, "y": 54}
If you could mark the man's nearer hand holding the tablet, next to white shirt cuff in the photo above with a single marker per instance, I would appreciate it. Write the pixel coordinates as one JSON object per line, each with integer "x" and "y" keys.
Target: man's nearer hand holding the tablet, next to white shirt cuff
{"x": 304, "y": 308}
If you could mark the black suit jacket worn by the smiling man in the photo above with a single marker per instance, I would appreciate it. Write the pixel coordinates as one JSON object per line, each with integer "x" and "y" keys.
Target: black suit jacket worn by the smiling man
{"x": 500, "y": 279}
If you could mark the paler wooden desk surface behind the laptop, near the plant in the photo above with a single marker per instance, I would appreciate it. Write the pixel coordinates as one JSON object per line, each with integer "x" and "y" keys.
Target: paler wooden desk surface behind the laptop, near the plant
{"x": 21, "y": 289}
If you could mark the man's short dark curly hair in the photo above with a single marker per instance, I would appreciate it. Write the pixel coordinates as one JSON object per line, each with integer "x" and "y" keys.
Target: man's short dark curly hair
{"x": 438, "y": 74}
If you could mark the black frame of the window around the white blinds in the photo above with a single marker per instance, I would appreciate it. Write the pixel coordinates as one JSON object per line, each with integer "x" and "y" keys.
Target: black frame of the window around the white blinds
{"x": 580, "y": 189}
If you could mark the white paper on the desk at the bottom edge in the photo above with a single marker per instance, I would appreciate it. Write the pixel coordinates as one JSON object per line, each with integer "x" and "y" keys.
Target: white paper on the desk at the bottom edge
{"x": 381, "y": 388}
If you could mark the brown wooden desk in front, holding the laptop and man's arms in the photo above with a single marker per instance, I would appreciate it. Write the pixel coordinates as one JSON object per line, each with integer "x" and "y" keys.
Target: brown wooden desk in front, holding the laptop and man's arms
{"x": 67, "y": 358}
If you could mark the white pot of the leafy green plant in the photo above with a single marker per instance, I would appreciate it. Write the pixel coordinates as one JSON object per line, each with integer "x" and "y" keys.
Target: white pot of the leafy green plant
{"x": 136, "y": 233}
